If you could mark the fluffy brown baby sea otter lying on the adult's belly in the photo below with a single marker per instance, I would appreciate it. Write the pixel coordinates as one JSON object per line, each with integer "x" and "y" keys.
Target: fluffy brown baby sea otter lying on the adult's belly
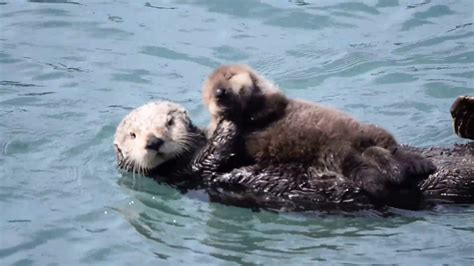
{"x": 279, "y": 130}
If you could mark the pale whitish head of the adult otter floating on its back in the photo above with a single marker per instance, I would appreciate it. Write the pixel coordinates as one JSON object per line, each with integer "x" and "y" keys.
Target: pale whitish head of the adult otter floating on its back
{"x": 153, "y": 134}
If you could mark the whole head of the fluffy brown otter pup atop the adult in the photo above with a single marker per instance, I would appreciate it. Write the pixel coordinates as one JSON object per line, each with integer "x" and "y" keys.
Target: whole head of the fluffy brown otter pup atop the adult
{"x": 238, "y": 92}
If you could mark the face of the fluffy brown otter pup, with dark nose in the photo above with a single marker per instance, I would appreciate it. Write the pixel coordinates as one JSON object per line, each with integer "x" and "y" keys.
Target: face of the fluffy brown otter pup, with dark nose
{"x": 229, "y": 89}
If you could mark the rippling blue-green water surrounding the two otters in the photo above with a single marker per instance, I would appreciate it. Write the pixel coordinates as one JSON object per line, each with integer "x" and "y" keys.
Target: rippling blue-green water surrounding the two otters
{"x": 70, "y": 70}
